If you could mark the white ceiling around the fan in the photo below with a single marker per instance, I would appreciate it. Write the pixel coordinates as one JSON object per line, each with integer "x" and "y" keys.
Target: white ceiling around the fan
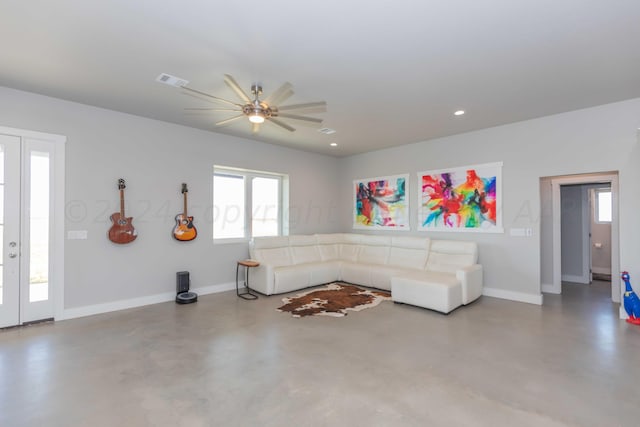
{"x": 391, "y": 72}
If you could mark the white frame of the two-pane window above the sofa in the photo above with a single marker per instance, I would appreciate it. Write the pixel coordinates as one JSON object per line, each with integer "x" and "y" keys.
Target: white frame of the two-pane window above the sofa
{"x": 248, "y": 176}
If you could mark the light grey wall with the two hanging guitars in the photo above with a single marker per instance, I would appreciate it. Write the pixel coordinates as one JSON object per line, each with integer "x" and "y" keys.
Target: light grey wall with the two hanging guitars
{"x": 155, "y": 158}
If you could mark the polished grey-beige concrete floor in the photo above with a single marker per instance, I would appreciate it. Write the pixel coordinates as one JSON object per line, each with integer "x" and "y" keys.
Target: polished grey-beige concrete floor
{"x": 228, "y": 362}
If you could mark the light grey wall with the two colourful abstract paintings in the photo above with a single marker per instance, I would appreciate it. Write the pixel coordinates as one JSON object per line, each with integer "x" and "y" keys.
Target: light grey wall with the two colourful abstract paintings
{"x": 590, "y": 140}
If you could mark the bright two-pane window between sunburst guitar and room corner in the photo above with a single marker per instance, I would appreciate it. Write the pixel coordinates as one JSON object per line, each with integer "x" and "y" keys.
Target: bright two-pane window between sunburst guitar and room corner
{"x": 247, "y": 203}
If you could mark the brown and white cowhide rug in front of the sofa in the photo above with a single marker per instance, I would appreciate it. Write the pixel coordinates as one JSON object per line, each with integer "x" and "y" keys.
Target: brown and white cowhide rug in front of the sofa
{"x": 332, "y": 300}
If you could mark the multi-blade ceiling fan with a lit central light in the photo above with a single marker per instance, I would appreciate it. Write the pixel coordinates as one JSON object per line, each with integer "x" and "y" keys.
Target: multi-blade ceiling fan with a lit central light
{"x": 257, "y": 110}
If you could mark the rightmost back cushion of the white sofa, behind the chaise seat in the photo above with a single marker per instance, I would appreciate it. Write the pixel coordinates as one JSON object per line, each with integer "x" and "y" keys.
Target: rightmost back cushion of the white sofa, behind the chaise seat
{"x": 449, "y": 255}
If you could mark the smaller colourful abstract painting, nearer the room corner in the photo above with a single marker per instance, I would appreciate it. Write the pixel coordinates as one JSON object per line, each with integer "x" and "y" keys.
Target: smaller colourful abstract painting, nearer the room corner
{"x": 381, "y": 203}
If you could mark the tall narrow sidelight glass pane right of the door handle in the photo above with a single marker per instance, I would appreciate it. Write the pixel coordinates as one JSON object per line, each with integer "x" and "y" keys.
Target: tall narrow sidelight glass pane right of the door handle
{"x": 39, "y": 228}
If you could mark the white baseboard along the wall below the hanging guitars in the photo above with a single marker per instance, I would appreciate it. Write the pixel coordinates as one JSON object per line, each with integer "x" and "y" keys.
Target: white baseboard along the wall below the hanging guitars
{"x": 90, "y": 310}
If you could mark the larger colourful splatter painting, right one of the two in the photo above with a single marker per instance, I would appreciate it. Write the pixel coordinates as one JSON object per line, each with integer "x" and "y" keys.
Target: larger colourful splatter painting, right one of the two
{"x": 461, "y": 199}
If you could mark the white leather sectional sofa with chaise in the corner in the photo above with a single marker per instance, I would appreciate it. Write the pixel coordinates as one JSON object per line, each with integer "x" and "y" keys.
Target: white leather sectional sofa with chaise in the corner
{"x": 436, "y": 274}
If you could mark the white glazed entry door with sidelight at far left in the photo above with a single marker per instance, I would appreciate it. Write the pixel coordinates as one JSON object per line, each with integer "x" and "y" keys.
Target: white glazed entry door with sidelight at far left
{"x": 27, "y": 237}
